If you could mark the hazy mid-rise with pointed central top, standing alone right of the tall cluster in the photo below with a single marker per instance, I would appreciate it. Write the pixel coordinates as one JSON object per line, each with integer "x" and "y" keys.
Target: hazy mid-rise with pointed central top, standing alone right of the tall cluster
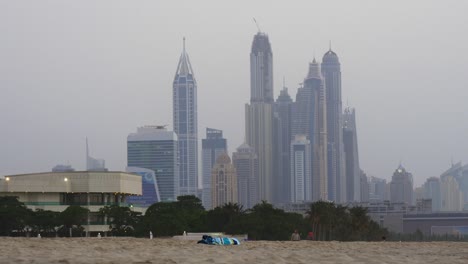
{"x": 401, "y": 187}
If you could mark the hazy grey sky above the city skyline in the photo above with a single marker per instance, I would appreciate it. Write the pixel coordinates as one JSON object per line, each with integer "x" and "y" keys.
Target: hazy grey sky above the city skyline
{"x": 71, "y": 69}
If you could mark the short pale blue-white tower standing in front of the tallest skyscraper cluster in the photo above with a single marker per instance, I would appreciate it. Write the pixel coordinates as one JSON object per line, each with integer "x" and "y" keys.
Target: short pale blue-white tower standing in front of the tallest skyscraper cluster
{"x": 301, "y": 170}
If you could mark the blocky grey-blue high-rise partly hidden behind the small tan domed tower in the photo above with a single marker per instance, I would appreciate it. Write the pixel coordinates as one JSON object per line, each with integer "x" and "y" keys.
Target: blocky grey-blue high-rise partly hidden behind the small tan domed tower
{"x": 212, "y": 147}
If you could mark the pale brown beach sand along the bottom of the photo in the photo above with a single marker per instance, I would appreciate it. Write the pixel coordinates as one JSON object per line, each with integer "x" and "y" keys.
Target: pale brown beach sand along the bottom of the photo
{"x": 140, "y": 250}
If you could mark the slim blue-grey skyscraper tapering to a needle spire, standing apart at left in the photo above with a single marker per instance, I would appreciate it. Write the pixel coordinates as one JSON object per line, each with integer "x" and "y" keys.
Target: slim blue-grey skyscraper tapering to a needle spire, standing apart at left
{"x": 185, "y": 123}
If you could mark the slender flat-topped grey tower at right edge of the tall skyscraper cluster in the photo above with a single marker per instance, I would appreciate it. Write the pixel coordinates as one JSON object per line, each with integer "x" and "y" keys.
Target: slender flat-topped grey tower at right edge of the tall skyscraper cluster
{"x": 350, "y": 188}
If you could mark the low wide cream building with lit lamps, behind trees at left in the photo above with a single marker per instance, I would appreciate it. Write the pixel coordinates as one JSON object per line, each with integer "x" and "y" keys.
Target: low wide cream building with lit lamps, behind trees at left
{"x": 56, "y": 191}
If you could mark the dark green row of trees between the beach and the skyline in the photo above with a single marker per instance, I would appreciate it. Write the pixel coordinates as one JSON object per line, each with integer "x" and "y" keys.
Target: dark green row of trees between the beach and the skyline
{"x": 262, "y": 222}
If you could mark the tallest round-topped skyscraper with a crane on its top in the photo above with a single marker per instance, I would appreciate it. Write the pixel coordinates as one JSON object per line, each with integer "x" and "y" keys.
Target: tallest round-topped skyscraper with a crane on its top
{"x": 259, "y": 113}
